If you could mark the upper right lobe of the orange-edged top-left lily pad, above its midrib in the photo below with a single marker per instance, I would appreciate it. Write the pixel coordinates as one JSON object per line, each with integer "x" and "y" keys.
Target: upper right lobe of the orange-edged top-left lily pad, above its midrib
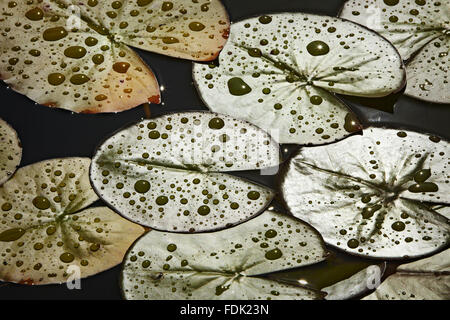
{"x": 194, "y": 30}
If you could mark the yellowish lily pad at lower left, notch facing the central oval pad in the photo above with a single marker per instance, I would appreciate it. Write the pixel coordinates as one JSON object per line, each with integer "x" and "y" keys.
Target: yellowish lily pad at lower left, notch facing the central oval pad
{"x": 45, "y": 234}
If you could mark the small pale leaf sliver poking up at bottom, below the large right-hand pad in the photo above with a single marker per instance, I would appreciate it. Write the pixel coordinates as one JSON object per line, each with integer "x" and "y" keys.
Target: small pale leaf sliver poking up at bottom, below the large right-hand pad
{"x": 357, "y": 284}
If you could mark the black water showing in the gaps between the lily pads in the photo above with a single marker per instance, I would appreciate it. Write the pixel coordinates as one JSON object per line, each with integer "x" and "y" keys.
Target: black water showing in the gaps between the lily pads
{"x": 48, "y": 133}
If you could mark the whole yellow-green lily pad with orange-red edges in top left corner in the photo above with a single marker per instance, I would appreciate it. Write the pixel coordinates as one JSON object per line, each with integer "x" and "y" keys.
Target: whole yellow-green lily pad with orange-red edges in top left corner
{"x": 74, "y": 55}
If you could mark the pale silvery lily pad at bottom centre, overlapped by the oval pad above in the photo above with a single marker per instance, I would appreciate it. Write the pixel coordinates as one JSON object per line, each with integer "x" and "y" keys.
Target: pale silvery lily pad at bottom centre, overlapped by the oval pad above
{"x": 228, "y": 264}
